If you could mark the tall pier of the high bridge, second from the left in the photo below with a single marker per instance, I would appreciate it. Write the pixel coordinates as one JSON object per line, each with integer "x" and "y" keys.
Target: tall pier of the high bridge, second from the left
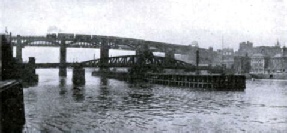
{"x": 63, "y": 54}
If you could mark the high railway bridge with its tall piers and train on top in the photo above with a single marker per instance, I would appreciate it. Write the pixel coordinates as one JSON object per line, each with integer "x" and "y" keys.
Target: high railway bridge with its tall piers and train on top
{"x": 104, "y": 43}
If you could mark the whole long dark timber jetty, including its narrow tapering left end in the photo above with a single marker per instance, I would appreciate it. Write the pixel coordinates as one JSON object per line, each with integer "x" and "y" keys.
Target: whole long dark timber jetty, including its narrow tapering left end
{"x": 216, "y": 82}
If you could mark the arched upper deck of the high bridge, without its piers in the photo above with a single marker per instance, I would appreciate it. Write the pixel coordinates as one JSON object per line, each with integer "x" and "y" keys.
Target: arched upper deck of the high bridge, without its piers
{"x": 93, "y": 41}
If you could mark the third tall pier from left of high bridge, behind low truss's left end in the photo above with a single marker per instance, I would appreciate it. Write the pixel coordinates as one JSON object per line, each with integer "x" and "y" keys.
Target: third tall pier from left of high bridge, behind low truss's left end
{"x": 104, "y": 55}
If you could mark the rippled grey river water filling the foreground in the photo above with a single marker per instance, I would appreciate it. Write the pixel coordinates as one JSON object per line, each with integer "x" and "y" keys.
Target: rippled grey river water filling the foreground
{"x": 110, "y": 105}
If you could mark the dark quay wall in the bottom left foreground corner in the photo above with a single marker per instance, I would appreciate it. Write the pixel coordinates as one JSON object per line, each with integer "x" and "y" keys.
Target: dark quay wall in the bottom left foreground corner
{"x": 12, "y": 110}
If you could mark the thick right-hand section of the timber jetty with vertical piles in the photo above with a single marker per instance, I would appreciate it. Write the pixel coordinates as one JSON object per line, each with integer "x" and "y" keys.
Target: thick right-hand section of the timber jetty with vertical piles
{"x": 212, "y": 82}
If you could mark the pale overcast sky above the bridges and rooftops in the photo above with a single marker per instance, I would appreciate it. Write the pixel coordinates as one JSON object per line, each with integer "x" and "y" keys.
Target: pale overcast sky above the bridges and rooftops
{"x": 171, "y": 21}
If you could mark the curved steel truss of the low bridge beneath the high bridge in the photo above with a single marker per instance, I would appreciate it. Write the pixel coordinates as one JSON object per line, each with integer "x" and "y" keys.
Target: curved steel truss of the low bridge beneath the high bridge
{"x": 138, "y": 61}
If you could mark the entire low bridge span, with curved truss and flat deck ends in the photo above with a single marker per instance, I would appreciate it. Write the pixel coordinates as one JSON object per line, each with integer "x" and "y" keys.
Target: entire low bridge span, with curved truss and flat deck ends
{"x": 132, "y": 61}
